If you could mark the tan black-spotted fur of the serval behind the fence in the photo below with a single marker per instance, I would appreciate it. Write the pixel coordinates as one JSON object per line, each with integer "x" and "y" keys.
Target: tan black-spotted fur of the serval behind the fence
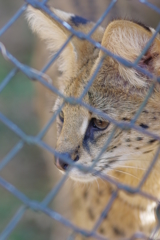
{"x": 118, "y": 91}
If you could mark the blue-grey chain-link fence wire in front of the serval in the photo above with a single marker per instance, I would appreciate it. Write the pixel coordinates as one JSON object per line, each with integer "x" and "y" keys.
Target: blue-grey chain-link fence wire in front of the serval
{"x": 37, "y": 140}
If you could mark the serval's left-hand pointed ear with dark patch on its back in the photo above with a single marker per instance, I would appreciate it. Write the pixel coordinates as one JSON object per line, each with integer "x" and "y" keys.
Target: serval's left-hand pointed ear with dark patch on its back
{"x": 55, "y": 34}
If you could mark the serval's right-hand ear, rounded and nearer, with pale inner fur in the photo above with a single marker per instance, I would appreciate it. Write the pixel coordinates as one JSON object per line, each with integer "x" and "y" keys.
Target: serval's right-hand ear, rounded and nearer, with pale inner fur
{"x": 127, "y": 39}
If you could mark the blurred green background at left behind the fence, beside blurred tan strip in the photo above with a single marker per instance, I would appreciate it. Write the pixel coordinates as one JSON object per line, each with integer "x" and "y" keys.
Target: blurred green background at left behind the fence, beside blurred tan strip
{"x": 27, "y": 170}
